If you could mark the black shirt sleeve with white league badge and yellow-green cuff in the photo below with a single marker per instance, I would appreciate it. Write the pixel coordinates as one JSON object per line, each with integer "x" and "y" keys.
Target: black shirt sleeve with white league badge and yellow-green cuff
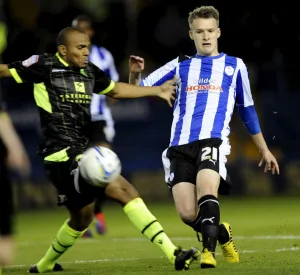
{"x": 32, "y": 69}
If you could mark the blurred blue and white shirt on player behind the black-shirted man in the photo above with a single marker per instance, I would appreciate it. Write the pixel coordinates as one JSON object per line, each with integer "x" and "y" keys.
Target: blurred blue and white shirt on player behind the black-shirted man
{"x": 103, "y": 59}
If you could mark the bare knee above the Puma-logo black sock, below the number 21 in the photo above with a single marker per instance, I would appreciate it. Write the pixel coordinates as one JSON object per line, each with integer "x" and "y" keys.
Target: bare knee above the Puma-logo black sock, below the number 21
{"x": 208, "y": 182}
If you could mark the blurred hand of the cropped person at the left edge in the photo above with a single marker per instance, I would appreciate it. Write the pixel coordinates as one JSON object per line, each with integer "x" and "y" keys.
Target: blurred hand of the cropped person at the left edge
{"x": 18, "y": 160}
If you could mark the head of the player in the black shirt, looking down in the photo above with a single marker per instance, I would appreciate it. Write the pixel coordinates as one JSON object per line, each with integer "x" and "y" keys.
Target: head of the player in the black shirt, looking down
{"x": 77, "y": 49}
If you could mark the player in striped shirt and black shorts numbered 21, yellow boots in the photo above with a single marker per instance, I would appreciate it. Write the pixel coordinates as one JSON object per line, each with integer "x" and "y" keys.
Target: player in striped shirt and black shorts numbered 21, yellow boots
{"x": 209, "y": 85}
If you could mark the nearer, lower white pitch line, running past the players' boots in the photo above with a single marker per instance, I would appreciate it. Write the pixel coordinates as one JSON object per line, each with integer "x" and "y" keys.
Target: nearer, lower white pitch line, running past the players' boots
{"x": 134, "y": 259}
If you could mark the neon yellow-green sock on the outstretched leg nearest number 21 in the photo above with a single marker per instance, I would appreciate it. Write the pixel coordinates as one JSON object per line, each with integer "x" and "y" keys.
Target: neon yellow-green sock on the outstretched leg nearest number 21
{"x": 146, "y": 223}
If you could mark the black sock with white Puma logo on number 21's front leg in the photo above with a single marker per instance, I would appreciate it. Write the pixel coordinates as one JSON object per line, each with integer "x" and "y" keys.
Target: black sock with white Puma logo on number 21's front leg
{"x": 210, "y": 219}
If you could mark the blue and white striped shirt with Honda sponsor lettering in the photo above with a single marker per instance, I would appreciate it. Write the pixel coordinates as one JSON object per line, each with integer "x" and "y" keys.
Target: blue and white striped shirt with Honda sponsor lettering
{"x": 208, "y": 87}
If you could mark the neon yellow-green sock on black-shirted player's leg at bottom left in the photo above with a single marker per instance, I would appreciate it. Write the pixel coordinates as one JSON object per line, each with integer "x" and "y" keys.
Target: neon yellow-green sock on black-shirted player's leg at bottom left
{"x": 65, "y": 238}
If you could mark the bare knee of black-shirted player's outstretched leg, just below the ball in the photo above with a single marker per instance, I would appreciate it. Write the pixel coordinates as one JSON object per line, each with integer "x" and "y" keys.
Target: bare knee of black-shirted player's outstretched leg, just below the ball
{"x": 121, "y": 190}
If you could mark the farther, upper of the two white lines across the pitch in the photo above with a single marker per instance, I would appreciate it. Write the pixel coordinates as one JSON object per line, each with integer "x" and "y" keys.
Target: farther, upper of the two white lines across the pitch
{"x": 275, "y": 237}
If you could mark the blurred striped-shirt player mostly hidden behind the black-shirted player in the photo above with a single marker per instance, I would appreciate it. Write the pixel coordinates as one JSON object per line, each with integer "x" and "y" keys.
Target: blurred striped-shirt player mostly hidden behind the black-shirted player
{"x": 102, "y": 120}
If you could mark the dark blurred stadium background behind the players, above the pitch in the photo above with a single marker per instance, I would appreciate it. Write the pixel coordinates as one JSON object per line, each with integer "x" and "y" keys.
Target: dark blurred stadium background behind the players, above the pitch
{"x": 267, "y": 39}
